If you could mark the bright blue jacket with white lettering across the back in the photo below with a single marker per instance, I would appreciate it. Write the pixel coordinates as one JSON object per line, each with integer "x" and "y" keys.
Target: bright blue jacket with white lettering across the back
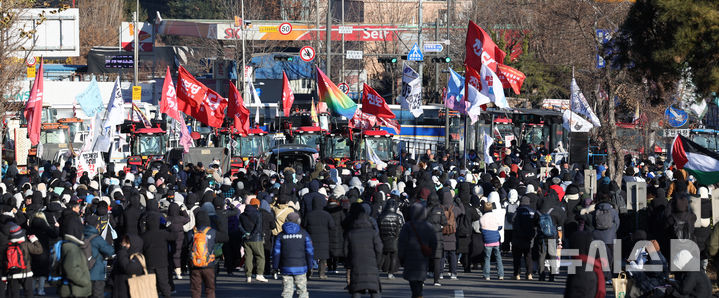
{"x": 293, "y": 251}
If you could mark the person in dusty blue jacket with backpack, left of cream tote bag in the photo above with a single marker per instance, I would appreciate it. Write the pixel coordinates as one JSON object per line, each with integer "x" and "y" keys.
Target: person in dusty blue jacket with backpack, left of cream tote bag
{"x": 99, "y": 250}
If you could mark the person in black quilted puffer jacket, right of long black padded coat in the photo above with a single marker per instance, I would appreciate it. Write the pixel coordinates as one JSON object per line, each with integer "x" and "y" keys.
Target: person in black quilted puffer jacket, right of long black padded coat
{"x": 390, "y": 224}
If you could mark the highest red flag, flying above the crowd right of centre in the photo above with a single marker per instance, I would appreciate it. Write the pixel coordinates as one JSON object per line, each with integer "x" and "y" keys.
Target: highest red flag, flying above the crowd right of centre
{"x": 480, "y": 49}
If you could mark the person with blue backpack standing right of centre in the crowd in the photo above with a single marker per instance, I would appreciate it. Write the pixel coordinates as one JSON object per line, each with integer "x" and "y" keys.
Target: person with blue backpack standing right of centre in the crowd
{"x": 551, "y": 220}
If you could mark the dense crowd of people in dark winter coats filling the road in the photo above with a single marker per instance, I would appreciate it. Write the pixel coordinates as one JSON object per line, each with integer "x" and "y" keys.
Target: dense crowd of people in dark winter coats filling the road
{"x": 421, "y": 218}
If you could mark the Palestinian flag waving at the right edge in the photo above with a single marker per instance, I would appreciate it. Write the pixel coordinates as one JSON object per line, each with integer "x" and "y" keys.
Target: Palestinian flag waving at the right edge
{"x": 698, "y": 161}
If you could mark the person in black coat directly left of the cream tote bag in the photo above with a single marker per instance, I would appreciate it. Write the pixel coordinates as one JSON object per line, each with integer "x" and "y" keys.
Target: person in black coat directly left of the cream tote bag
{"x": 125, "y": 266}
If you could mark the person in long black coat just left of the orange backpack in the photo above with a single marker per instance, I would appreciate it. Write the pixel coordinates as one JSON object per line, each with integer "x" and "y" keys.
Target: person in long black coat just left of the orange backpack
{"x": 155, "y": 248}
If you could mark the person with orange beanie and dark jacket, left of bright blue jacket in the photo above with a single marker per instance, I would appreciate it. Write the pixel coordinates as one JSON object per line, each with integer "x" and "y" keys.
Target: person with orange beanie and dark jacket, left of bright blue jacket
{"x": 250, "y": 226}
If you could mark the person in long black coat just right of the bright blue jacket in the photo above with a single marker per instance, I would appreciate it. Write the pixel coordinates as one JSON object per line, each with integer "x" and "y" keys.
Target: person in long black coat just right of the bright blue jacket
{"x": 318, "y": 224}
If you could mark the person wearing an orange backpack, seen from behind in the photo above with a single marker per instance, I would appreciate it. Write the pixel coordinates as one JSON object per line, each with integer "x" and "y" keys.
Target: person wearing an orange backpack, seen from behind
{"x": 203, "y": 275}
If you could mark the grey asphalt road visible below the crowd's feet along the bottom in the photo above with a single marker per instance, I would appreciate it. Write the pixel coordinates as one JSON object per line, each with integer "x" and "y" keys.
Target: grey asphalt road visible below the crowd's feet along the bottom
{"x": 468, "y": 285}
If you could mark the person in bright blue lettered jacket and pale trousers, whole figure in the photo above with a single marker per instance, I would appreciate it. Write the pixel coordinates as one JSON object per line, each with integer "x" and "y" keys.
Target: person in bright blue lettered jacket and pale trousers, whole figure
{"x": 293, "y": 255}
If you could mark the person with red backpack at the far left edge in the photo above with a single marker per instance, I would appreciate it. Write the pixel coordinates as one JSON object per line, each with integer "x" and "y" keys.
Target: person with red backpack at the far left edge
{"x": 27, "y": 245}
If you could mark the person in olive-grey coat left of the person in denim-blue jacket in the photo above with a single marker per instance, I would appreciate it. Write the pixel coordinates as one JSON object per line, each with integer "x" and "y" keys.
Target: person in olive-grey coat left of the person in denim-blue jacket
{"x": 73, "y": 263}
